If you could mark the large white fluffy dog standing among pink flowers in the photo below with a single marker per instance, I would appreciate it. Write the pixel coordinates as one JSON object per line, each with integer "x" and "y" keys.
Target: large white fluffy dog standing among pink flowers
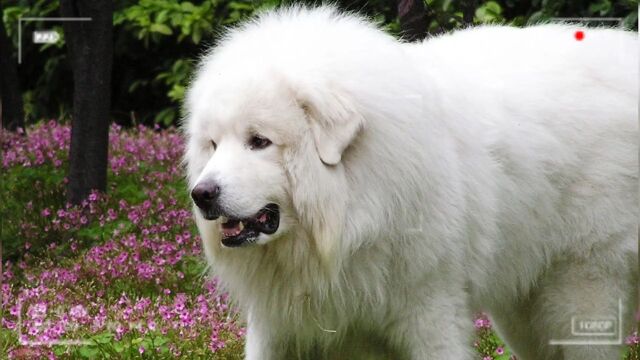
{"x": 359, "y": 196}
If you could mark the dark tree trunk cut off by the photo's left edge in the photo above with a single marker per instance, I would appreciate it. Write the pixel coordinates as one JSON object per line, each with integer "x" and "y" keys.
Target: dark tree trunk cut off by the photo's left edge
{"x": 11, "y": 108}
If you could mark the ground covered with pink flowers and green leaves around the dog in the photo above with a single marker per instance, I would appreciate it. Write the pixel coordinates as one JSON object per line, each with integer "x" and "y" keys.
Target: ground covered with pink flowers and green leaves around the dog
{"x": 122, "y": 275}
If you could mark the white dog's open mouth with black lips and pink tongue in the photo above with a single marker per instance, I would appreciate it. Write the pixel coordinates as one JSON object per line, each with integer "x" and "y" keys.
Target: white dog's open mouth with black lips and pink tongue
{"x": 237, "y": 232}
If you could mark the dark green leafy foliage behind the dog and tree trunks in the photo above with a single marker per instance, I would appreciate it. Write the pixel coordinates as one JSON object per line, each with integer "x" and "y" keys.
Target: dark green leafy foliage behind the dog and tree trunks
{"x": 156, "y": 42}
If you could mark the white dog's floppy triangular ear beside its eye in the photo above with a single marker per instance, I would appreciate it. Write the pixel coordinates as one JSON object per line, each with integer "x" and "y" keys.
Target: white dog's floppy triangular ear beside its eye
{"x": 333, "y": 121}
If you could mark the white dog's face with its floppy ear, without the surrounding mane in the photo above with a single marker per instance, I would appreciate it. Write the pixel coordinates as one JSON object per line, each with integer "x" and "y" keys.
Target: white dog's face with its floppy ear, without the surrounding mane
{"x": 265, "y": 156}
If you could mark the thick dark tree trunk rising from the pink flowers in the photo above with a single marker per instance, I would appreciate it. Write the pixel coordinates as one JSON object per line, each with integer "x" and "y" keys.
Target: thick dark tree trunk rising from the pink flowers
{"x": 90, "y": 50}
